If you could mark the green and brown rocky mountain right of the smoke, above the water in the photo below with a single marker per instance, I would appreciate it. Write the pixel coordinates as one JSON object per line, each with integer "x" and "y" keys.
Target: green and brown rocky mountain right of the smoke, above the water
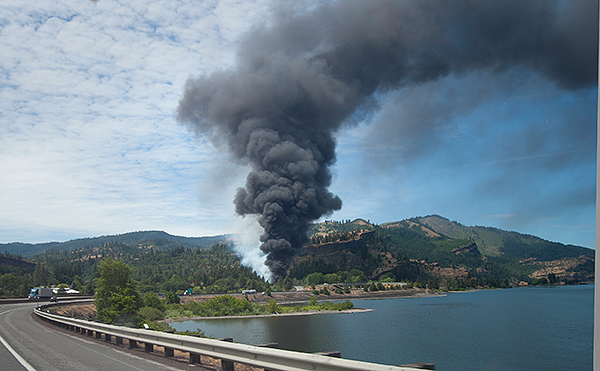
{"x": 435, "y": 247}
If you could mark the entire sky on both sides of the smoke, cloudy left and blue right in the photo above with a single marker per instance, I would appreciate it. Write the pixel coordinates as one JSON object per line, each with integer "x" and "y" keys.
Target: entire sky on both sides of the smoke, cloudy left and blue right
{"x": 89, "y": 143}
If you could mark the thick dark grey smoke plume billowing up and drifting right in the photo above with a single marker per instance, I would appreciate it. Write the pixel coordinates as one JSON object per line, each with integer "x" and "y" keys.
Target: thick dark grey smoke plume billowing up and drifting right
{"x": 300, "y": 77}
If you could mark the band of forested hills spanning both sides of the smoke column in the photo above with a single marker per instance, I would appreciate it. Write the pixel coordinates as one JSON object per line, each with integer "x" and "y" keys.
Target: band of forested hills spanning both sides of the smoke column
{"x": 426, "y": 252}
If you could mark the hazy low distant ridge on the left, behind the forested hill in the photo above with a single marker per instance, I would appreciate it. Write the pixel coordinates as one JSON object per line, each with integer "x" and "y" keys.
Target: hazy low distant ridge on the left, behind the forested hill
{"x": 159, "y": 239}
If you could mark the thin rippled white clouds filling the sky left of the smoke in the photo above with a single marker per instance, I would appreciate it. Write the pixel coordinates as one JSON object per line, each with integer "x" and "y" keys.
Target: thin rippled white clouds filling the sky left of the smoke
{"x": 88, "y": 141}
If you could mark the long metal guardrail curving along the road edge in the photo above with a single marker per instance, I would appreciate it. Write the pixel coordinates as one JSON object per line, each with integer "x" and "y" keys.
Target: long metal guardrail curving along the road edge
{"x": 228, "y": 352}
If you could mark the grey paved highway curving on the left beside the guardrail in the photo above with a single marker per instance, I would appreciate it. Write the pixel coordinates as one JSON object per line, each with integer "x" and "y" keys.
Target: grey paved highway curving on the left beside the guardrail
{"x": 28, "y": 344}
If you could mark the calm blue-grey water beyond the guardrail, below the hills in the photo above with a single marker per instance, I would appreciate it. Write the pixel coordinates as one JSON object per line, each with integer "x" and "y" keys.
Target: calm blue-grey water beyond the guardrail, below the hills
{"x": 538, "y": 328}
